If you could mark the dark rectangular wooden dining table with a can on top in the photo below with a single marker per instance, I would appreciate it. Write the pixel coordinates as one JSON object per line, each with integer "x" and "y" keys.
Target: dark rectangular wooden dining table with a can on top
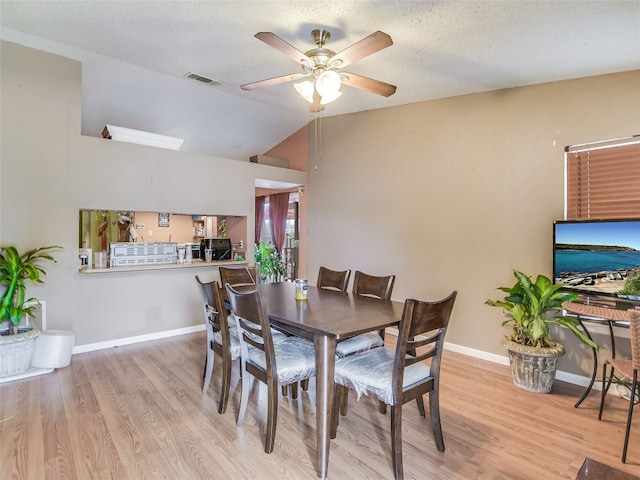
{"x": 325, "y": 317}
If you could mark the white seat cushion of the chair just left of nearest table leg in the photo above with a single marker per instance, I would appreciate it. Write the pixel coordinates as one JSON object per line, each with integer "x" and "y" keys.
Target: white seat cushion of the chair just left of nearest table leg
{"x": 295, "y": 359}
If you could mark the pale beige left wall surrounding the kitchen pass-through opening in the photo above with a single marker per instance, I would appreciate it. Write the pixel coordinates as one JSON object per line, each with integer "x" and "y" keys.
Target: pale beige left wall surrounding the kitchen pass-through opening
{"x": 49, "y": 172}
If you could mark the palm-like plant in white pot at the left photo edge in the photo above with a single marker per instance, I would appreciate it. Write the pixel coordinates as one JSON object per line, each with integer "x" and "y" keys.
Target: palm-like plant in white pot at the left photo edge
{"x": 16, "y": 347}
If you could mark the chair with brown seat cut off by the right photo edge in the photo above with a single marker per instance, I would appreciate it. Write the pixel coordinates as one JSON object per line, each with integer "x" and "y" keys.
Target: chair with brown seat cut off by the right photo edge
{"x": 627, "y": 372}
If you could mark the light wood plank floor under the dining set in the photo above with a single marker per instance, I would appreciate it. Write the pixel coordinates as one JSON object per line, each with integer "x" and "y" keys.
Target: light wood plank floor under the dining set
{"x": 137, "y": 412}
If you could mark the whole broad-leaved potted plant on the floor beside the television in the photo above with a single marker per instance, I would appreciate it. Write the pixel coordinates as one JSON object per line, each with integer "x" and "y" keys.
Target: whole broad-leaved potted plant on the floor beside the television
{"x": 531, "y": 308}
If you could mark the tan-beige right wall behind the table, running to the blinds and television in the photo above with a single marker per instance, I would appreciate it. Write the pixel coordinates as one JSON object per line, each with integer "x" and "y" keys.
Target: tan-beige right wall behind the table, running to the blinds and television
{"x": 455, "y": 193}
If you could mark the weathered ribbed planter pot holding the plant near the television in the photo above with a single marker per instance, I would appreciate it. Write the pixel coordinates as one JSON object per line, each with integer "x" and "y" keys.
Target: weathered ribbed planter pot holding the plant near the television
{"x": 533, "y": 369}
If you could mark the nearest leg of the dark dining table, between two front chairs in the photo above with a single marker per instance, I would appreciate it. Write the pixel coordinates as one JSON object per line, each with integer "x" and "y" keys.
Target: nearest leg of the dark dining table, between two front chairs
{"x": 325, "y": 366}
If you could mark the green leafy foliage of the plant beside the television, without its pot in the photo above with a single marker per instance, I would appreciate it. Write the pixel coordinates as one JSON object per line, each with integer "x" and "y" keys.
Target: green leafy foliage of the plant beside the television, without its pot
{"x": 532, "y": 307}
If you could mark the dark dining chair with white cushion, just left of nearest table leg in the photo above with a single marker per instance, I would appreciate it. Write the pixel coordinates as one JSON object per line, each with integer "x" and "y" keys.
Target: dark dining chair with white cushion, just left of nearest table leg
{"x": 286, "y": 362}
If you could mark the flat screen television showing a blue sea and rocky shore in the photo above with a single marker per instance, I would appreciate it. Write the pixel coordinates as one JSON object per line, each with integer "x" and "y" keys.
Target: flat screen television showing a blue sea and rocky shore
{"x": 596, "y": 256}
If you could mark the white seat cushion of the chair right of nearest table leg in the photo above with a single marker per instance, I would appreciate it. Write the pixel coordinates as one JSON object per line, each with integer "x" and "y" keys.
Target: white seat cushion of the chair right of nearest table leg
{"x": 371, "y": 372}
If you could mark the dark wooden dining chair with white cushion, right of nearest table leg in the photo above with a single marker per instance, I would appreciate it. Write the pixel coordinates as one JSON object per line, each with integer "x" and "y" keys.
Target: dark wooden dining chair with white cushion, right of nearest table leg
{"x": 397, "y": 376}
